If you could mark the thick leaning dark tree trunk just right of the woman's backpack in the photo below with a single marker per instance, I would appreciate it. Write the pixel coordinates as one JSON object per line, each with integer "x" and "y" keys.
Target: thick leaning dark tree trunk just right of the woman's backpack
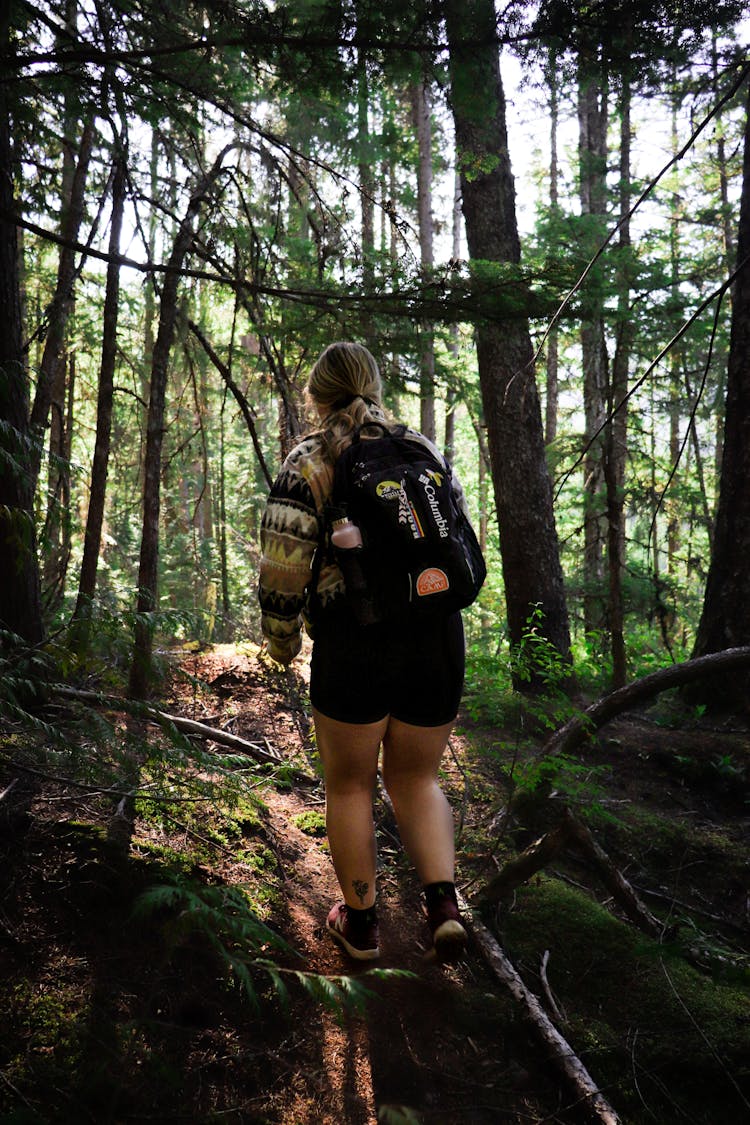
{"x": 523, "y": 494}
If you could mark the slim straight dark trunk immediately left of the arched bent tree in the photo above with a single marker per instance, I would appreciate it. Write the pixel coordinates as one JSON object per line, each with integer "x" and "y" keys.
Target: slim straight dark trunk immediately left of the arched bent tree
{"x": 101, "y": 464}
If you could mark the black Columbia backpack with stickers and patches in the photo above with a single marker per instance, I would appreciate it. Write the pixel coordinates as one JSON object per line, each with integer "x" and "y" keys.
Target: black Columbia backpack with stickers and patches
{"x": 420, "y": 552}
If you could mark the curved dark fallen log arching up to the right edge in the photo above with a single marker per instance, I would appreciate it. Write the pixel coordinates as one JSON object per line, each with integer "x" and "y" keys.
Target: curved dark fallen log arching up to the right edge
{"x": 583, "y": 726}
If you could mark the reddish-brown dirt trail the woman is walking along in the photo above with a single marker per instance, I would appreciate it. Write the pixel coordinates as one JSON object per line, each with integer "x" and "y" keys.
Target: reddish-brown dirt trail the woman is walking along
{"x": 428, "y": 1048}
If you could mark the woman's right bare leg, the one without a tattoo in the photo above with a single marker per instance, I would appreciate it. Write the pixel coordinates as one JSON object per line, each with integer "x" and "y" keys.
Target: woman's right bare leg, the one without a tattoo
{"x": 412, "y": 758}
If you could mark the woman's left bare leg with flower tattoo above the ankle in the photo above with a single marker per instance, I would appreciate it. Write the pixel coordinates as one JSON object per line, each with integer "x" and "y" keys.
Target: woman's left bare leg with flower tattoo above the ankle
{"x": 349, "y": 753}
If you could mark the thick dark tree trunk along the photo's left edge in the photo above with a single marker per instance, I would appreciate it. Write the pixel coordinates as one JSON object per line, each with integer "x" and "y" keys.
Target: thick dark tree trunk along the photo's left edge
{"x": 21, "y": 608}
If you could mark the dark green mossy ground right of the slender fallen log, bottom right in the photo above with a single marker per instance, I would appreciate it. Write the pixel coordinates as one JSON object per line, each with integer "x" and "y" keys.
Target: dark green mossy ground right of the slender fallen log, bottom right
{"x": 621, "y": 985}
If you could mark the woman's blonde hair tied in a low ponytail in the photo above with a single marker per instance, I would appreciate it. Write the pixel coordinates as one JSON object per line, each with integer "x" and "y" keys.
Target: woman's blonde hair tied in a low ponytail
{"x": 346, "y": 382}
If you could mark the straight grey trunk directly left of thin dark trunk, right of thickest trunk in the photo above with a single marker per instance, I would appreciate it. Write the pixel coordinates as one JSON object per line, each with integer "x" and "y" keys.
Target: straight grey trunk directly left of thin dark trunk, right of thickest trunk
{"x": 592, "y": 150}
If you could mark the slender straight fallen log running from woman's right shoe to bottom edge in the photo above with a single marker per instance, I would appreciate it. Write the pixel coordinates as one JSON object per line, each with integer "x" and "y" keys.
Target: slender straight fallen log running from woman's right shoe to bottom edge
{"x": 564, "y": 1057}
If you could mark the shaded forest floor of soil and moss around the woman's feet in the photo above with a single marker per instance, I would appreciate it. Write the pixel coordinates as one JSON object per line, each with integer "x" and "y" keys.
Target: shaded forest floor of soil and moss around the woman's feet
{"x": 118, "y": 1016}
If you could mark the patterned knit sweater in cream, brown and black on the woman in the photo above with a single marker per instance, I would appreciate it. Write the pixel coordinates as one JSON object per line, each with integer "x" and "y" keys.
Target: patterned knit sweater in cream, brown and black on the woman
{"x": 291, "y": 533}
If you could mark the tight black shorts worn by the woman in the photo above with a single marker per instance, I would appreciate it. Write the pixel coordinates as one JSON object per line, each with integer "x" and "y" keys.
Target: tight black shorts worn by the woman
{"x": 411, "y": 669}
